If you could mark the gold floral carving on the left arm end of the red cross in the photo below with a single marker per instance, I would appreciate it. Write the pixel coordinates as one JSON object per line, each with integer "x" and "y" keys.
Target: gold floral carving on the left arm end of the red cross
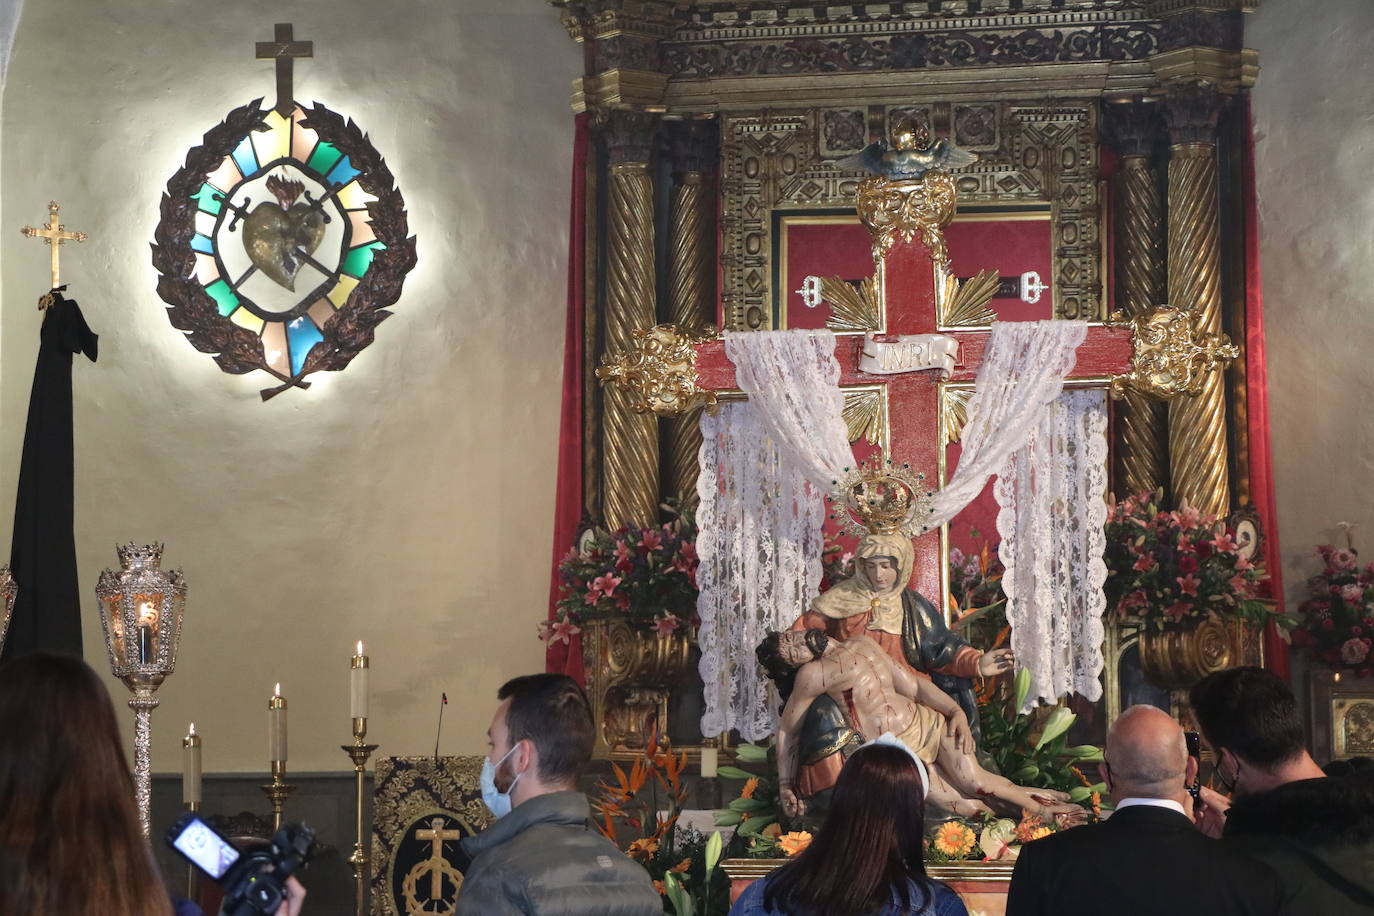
{"x": 659, "y": 370}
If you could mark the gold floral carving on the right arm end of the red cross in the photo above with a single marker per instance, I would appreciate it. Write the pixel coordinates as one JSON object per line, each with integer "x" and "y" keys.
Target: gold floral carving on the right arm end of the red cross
{"x": 1171, "y": 358}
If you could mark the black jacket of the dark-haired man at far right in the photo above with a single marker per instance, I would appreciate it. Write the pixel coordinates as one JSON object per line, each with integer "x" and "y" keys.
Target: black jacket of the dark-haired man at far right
{"x": 1318, "y": 834}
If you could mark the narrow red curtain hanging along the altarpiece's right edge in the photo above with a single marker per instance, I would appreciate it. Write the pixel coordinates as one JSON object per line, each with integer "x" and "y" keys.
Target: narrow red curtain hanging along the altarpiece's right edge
{"x": 1258, "y": 406}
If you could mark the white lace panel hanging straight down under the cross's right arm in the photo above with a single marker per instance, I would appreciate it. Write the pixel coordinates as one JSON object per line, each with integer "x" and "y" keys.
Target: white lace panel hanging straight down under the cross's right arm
{"x": 1053, "y": 512}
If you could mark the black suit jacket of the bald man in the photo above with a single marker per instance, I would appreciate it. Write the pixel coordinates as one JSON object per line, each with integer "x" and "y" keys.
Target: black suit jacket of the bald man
{"x": 1141, "y": 862}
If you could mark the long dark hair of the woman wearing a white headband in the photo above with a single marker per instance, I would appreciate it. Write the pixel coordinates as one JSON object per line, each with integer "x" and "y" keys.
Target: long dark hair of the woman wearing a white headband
{"x": 870, "y": 849}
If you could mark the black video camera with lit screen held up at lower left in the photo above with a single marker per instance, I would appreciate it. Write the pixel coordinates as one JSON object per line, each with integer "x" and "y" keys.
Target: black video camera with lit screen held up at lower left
{"x": 255, "y": 881}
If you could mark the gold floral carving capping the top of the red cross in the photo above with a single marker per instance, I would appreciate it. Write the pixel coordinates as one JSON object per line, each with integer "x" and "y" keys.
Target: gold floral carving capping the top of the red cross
{"x": 905, "y": 208}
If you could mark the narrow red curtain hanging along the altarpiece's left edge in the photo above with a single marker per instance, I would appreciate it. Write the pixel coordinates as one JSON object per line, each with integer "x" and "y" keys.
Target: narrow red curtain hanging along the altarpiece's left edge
{"x": 563, "y": 656}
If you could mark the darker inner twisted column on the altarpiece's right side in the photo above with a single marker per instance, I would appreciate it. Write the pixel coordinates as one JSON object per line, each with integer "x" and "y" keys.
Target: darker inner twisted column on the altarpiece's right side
{"x": 1133, "y": 128}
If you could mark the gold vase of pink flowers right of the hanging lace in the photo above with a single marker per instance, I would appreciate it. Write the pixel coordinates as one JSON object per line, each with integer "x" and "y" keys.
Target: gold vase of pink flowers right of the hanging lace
{"x": 1184, "y": 577}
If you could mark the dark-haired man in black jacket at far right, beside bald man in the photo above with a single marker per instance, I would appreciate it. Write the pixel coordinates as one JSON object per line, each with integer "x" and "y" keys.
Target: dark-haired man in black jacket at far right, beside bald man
{"x": 1316, "y": 832}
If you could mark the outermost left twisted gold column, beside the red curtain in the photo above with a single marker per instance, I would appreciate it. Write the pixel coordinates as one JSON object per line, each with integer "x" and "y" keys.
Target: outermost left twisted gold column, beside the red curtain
{"x": 630, "y": 442}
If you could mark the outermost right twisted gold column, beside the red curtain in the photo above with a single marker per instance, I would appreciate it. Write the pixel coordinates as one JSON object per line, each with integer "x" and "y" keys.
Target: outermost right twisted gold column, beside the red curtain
{"x": 1199, "y": 461}
